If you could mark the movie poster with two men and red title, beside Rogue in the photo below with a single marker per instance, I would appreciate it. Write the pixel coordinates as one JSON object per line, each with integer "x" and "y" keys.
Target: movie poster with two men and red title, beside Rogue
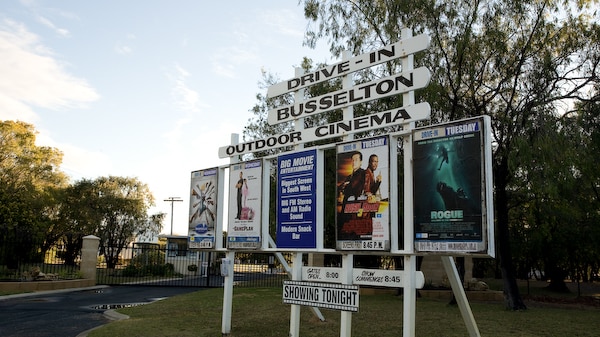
{"x": 363, "y": 213}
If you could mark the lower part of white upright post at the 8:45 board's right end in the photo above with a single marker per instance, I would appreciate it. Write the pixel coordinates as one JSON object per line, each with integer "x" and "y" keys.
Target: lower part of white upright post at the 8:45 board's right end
{"x": 410, "y": 296}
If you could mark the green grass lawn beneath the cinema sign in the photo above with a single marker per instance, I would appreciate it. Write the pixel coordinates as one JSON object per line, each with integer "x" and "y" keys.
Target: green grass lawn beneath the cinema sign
{"x": 259, "y": 312}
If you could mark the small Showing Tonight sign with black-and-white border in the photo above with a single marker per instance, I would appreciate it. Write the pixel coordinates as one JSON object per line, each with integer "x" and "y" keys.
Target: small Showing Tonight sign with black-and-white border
{"x": 323, "y": 295}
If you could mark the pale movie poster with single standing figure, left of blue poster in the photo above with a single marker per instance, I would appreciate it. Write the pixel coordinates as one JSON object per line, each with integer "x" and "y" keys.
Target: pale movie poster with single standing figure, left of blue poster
{"x": 245, "y": 204}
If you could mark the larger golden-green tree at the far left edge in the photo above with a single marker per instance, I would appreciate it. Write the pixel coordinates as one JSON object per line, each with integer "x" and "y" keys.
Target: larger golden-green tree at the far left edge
{"x": 29, "y": 185}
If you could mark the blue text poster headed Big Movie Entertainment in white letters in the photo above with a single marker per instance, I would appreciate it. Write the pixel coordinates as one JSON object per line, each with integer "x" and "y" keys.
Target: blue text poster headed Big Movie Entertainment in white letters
{"x": 296, "y": 201}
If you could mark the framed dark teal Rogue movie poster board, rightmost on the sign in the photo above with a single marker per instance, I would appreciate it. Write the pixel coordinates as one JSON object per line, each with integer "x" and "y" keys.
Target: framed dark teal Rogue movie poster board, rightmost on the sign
{"x": 453, "y": 210}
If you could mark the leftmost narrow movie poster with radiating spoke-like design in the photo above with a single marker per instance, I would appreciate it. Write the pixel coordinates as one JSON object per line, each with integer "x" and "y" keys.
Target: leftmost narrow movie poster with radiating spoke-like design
{"x": 203, "y": 208}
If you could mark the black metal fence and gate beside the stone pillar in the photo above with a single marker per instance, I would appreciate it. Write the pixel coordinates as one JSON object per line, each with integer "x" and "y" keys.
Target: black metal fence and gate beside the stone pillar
{"x": 141, "y": 264}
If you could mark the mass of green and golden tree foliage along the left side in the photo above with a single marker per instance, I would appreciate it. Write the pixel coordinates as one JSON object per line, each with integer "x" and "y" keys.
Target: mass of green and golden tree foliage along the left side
{"x": 40, "y": 209}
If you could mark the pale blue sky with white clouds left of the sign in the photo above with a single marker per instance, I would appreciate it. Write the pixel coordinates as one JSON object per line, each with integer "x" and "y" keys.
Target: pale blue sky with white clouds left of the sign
{"x": 144, "y": 88}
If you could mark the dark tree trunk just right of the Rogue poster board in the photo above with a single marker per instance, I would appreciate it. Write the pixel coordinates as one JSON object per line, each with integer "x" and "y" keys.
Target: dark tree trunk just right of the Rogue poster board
{"x": 512, "y": 295}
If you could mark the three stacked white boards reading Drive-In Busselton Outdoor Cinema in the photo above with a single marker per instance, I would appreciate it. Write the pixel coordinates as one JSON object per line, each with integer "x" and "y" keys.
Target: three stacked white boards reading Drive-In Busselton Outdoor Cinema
{"x": 384, "y": 87}
